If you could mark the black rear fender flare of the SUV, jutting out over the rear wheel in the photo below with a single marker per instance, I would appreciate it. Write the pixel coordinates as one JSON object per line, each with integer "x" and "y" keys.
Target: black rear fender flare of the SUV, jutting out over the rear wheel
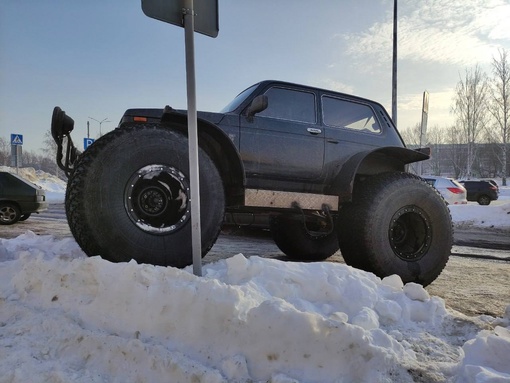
{"x": 369, "y": 163}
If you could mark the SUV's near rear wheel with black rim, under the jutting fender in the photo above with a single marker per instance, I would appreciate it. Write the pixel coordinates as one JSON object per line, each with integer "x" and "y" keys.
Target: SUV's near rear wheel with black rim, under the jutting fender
{"x": 397, "y": 224}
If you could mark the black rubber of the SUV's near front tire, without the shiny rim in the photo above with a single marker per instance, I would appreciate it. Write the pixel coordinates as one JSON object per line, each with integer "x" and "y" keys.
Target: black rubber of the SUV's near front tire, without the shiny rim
{"x": 95, "y": 227}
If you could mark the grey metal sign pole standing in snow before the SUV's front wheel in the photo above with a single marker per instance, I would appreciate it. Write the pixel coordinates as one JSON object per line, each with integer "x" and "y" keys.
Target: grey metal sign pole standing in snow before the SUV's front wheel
{"x": 196, "y": 243}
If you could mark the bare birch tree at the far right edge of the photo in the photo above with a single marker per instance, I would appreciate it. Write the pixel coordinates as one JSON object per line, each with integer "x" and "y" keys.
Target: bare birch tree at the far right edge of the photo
{"x": 500, "y": 105}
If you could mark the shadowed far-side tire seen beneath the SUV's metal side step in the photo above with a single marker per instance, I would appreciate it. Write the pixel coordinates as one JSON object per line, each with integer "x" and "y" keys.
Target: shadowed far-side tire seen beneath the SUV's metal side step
{"x": 295, "y": 240}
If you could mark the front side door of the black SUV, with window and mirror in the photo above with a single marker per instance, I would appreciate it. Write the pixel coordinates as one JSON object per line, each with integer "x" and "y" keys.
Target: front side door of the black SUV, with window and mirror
{"x": 285, "y": 141}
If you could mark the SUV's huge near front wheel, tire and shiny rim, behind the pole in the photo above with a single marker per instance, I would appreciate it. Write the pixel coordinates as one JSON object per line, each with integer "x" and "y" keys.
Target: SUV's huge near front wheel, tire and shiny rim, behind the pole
{"x": 128, "y": 197}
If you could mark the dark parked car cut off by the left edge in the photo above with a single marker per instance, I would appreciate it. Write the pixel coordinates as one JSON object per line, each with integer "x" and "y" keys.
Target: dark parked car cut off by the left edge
{"x": 19, "y": 198}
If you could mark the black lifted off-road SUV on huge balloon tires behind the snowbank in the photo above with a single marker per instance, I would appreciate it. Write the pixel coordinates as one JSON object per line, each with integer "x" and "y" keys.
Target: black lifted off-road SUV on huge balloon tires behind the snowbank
{"x": 328, "y": 168}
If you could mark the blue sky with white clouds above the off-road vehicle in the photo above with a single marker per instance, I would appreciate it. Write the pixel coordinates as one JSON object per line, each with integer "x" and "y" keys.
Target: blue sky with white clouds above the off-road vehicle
{"x": 96, "y": 58}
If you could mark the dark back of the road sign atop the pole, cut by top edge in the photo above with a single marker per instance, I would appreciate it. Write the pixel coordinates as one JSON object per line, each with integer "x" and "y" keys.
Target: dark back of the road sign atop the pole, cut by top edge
{"x": 206, "y": 14}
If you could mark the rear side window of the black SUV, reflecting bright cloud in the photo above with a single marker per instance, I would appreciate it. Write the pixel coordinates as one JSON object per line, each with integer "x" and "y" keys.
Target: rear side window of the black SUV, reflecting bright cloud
{"x": 349, "y": 115}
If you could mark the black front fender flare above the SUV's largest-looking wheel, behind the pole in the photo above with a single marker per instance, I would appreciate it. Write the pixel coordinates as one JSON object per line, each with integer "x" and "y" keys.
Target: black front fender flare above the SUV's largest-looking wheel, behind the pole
{"x": 216, "y": 143}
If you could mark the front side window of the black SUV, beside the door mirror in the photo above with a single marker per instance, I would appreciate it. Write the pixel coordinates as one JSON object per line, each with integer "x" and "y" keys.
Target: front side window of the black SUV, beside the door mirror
{"x": 293, "y": 105}
